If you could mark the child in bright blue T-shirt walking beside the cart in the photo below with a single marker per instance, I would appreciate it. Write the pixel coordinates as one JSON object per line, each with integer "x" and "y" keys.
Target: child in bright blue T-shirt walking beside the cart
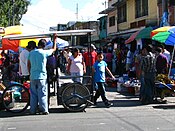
{"x": 99, "y": 69}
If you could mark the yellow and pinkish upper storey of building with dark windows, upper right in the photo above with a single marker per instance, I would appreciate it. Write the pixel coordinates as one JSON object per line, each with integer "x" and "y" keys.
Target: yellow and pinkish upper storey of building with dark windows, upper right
{"x": 125, "y": 17}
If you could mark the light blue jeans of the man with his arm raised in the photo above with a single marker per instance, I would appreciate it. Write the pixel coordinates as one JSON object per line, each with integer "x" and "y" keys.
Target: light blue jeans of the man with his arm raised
{"x": 38, "y": 95}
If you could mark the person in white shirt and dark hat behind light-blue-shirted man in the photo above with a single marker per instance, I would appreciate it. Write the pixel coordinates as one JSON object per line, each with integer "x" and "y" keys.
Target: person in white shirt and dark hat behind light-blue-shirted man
{"x": 23, "y": 59}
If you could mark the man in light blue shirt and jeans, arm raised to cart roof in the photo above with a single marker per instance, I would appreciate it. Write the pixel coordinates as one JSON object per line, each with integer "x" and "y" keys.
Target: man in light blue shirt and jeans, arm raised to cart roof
{"x": 38, "y": 77}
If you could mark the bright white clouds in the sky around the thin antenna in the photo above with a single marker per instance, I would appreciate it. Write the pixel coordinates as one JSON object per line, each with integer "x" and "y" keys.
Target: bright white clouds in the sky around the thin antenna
{"x": 48, "y": 13}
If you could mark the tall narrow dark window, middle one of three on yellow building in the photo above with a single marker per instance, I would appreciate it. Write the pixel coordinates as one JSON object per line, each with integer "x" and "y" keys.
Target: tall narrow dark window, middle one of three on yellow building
{"x": 122, "y": 13}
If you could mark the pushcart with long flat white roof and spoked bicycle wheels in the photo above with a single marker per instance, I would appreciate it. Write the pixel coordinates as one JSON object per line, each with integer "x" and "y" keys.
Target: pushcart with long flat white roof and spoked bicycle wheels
{"x": 73, "y": 96}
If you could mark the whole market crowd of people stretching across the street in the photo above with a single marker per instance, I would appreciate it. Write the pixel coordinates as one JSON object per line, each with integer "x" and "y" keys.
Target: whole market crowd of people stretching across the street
{"x": 38, "y": 65}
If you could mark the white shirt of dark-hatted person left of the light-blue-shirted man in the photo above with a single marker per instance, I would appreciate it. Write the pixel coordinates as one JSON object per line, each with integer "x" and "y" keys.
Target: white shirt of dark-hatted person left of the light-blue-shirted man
{"x": 23, "y": 59}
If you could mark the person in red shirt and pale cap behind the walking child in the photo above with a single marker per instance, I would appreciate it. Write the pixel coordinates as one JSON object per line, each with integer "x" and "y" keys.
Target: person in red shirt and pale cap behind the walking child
{"x": 89, "y": 58}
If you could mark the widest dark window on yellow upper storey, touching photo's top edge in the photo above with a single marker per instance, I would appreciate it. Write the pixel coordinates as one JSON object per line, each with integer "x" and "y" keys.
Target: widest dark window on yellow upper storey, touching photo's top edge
{"x": 141, "y": 8}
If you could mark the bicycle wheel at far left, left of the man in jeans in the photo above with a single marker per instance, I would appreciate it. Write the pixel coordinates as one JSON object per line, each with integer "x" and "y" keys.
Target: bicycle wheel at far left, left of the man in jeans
{"x": 16, "y": 98}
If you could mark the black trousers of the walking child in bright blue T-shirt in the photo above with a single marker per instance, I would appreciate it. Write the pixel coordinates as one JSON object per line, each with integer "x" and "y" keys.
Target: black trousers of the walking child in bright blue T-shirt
{"x": 100, "y": 92}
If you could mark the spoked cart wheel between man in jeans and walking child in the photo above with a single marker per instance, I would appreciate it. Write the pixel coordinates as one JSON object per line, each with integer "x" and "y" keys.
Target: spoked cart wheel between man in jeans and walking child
{"x": 75, "y": 97}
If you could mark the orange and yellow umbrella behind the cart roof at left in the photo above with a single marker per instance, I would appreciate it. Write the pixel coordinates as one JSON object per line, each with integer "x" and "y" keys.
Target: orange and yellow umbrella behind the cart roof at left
{"x": 14, "y": 44}
